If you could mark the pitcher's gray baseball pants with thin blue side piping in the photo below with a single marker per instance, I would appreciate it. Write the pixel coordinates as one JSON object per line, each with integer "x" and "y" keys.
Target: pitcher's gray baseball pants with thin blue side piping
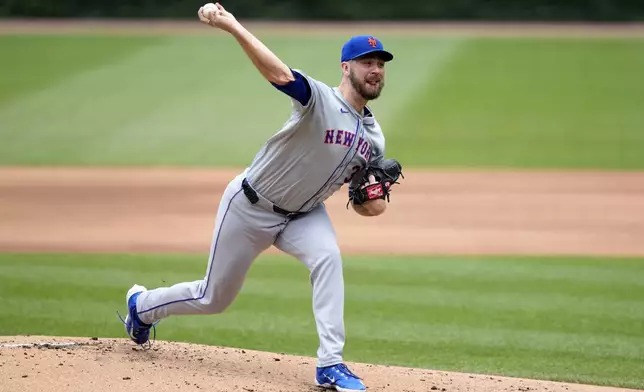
{"x": 242, "y": 231}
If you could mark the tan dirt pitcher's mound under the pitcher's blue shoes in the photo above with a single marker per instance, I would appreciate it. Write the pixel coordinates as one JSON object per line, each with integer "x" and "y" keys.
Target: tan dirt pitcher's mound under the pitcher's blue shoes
{"x": 52, "y": 364}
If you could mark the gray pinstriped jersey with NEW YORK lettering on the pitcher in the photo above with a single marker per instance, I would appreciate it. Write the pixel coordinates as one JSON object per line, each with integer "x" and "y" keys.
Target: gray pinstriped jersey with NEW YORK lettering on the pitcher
{"x": 319, "y": 149}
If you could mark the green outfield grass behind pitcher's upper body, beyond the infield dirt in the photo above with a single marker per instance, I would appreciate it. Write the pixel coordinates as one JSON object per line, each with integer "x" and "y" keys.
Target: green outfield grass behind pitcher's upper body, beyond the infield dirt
{"x": 101, "y": 100}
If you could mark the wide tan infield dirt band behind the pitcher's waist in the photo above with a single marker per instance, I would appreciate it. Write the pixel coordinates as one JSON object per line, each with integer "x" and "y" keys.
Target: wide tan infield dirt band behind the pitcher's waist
{"x": 431, "y": 212}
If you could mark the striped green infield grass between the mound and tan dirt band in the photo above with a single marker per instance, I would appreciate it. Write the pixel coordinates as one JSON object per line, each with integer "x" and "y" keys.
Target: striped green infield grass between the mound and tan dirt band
{"x": 577, "y": 320}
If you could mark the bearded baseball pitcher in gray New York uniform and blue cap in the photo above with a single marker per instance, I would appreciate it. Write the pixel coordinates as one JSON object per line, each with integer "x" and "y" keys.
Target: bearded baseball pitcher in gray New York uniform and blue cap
{"x": 330, "y": 139}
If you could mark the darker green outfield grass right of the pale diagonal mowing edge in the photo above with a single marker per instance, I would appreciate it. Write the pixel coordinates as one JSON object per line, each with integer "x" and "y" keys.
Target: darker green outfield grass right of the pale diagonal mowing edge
{"x": 572, "y": 103}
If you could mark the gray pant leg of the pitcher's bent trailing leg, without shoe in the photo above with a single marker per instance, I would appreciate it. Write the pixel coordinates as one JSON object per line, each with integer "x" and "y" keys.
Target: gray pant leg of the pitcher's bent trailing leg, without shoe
{"x": 242, "y": 231}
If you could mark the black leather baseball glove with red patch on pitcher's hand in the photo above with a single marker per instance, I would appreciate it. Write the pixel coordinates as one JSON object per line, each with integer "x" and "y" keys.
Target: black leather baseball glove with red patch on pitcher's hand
{"x": 386, "y": 172}
